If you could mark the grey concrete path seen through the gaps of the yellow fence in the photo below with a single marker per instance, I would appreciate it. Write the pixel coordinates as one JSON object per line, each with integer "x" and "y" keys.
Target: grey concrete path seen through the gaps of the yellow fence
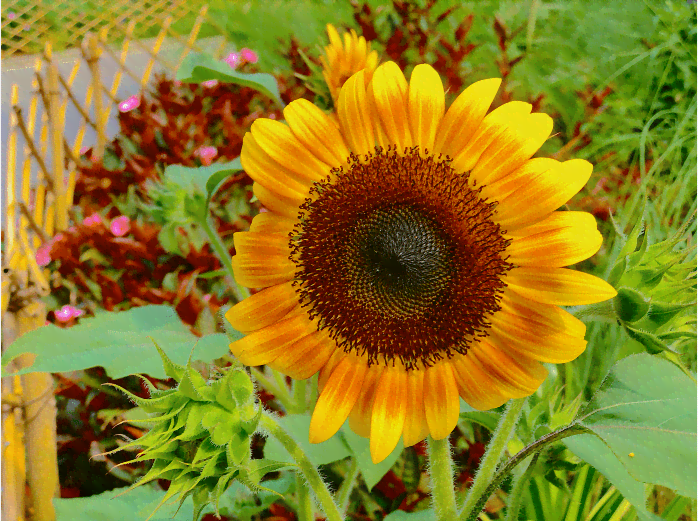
{"x": 20, "y": 70}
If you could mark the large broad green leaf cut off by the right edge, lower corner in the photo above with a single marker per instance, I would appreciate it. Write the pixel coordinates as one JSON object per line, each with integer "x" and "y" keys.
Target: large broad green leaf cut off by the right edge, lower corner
{"x": 645, "y": 411}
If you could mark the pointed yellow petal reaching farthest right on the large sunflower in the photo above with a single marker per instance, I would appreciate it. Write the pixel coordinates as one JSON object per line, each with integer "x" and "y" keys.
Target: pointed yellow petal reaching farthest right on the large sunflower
{"x": 559, "y": 286}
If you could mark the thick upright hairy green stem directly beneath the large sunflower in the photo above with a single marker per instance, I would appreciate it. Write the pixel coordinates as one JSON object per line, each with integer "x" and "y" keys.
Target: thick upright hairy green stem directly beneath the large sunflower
{"x": 441, "y": 471}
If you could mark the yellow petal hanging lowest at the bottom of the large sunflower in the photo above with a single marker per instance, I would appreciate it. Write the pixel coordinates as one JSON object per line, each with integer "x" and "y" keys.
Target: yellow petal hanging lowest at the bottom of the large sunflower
{"x": 389, "y": 411}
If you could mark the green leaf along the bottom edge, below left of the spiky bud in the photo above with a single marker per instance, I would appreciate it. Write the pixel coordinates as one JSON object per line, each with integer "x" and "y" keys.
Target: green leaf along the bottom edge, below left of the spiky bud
{"x": 137, "y": 504}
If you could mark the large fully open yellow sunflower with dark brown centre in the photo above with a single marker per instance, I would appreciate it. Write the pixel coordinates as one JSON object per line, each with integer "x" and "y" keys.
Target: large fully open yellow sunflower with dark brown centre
{"x": 411, "y": 255}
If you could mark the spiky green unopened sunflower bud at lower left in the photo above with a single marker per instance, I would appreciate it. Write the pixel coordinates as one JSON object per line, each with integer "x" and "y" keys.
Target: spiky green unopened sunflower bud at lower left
{"x": 200, "y": 439}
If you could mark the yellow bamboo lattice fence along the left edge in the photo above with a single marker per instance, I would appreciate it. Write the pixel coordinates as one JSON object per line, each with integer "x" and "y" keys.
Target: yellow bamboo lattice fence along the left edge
{"x": 41, "y": 167}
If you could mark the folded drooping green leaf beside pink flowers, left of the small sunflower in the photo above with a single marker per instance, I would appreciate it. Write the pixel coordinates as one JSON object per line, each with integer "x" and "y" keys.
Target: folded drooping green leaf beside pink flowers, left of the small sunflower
{"x": 197, "y": 68}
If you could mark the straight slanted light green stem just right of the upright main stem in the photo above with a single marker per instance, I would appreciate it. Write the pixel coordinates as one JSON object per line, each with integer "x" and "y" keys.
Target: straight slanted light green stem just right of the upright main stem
{"x": 492, "y": 457}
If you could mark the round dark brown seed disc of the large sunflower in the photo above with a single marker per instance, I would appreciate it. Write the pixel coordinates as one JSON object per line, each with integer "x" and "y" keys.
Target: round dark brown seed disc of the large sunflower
{"x": 398, "y": 257}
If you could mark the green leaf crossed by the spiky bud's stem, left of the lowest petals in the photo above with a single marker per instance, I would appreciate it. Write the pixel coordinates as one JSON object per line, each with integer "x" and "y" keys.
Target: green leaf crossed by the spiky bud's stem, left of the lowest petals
{"x": 298, "y": 426}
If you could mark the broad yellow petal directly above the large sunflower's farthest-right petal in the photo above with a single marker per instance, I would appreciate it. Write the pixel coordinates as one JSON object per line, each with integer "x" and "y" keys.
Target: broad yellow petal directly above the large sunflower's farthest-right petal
{"x": 562, "y": 239}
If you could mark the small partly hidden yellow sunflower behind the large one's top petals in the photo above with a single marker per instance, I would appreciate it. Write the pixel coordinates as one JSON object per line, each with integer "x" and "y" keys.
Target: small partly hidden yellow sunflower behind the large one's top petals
{"x": 342, "y": 61}
